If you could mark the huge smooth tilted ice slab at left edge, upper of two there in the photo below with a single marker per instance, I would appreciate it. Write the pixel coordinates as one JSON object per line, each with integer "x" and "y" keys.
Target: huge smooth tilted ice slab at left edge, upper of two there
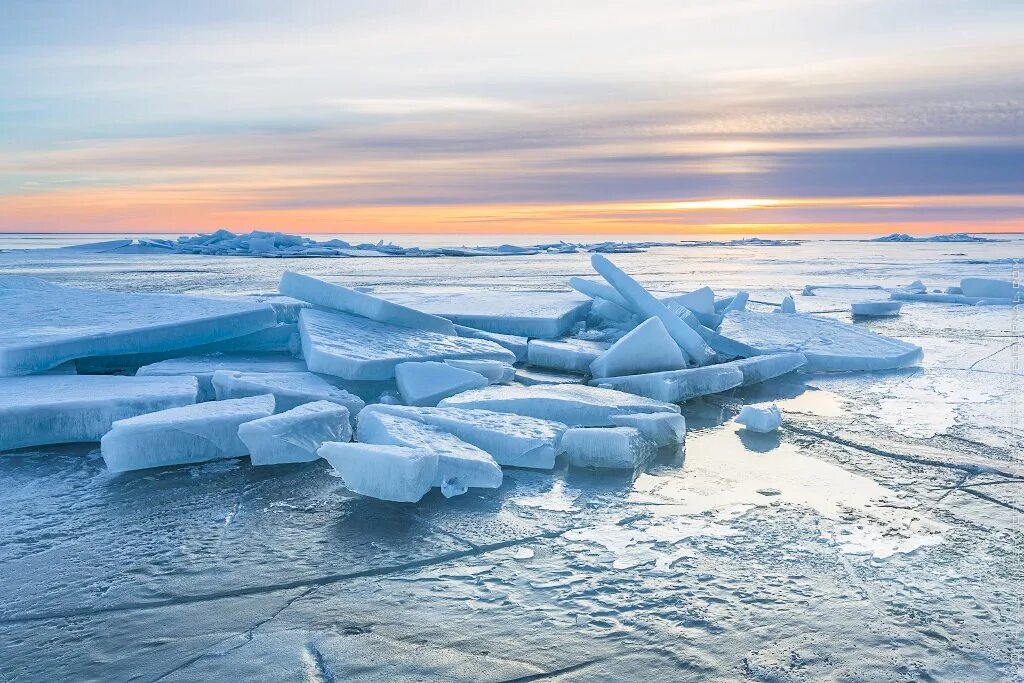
{"x": 44, "y": 325}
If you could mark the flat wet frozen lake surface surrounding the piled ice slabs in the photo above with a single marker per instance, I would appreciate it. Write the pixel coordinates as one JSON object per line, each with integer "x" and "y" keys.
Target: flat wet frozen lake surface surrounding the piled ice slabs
{"x": 872, "y": 538}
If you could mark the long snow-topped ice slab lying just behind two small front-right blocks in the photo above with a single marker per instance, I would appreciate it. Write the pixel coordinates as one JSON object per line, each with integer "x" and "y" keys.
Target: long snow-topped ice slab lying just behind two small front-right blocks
{"x": 574, "y": 405}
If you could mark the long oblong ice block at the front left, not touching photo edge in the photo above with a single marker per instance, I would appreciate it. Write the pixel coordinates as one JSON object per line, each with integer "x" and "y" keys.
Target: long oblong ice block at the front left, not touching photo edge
{"x": 183, "y": 436}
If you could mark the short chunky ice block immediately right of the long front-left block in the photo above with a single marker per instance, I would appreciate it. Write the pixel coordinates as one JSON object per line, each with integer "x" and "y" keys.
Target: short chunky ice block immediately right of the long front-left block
{"x": 295, "y": 436}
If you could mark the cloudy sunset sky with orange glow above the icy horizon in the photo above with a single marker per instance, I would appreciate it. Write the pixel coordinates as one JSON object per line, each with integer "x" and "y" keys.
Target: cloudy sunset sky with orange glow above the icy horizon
{"x": 572, "y": 117}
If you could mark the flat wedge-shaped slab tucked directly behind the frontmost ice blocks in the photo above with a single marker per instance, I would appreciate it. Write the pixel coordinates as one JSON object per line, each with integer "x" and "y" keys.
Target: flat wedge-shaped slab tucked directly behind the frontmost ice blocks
{"x": 511, "y": 440}
